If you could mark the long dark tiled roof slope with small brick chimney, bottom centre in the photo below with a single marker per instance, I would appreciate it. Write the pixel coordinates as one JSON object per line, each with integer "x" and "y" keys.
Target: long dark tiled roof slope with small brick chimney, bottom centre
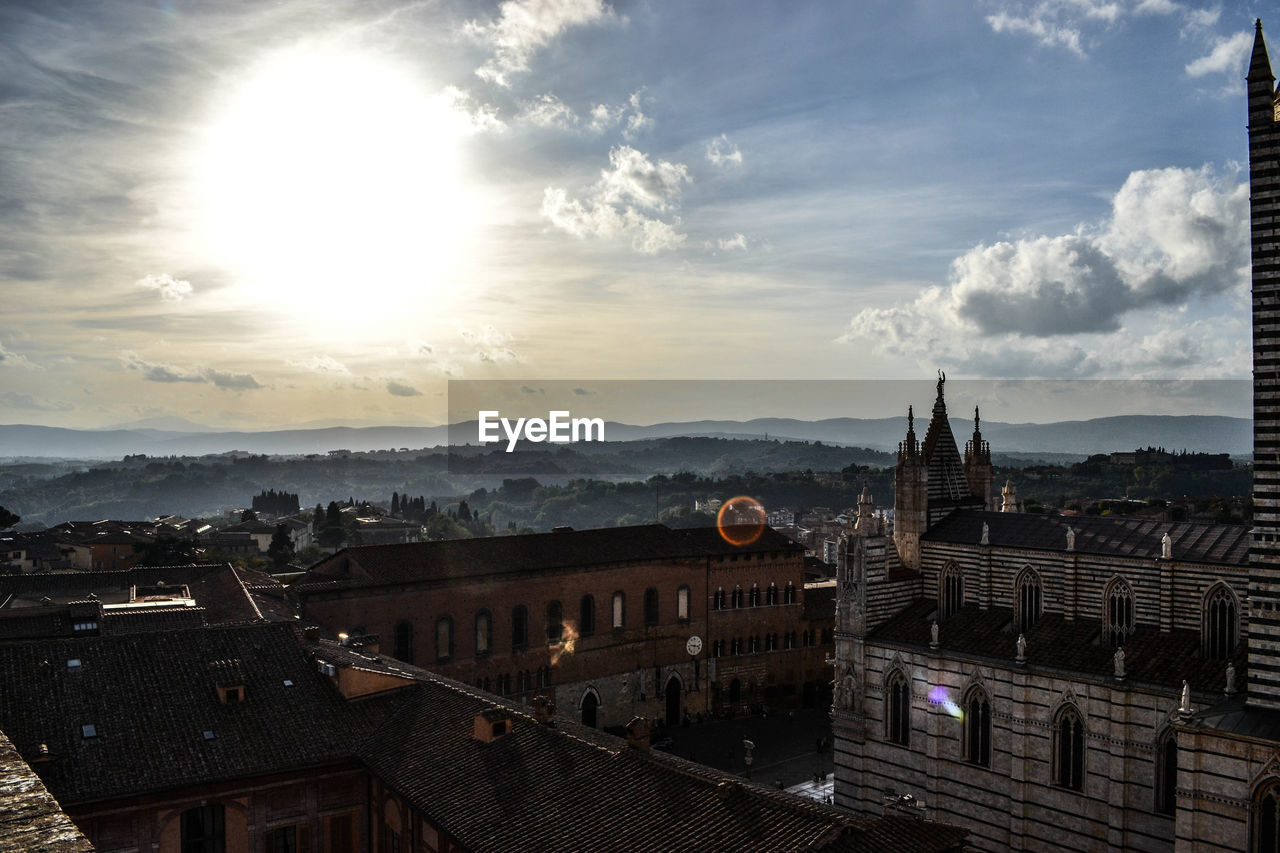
{"x": 591, "y": 791}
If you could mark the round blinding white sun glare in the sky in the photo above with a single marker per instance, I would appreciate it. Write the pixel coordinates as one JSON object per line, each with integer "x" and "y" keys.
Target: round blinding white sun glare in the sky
{"x": 331, "y": 180}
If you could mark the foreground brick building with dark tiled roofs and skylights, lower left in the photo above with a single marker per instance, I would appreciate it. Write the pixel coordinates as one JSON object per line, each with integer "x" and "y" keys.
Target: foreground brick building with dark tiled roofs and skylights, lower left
{"x": 254, "y": 738}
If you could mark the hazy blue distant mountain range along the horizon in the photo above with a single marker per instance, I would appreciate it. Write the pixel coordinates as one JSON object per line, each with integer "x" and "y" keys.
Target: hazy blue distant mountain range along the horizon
{"x": 1197, "y": 434}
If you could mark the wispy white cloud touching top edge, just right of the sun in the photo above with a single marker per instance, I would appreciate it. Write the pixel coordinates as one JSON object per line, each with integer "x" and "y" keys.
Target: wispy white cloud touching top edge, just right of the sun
{"x": 525, "y": 26}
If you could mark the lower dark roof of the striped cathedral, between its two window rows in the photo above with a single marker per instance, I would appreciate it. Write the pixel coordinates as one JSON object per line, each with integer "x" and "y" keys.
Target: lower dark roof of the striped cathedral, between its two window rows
{"x": 1078, "y": 647}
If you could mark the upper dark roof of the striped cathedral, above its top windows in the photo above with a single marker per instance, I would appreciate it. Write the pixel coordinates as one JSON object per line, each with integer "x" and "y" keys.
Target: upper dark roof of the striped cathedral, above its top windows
{"x": 1107, "y": 536}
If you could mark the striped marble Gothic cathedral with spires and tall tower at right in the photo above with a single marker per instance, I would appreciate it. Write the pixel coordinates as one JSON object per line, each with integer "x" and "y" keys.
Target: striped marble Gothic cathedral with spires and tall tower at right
{"x": 1071, "y": 683}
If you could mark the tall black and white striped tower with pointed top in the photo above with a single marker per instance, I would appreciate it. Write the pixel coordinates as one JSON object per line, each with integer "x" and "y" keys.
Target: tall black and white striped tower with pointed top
{"x": 1265, "y": 243}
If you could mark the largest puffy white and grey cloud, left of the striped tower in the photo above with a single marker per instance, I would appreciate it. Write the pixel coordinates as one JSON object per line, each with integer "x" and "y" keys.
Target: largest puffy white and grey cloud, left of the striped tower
{"x": 1084, "y": 304}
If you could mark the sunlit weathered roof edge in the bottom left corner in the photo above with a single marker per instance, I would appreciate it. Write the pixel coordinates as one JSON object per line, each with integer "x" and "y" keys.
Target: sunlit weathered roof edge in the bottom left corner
{"x": 31, "y": 822}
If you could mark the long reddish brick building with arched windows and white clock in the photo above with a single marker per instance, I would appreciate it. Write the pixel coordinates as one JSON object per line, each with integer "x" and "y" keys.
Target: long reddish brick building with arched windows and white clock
{"x": 612, "y": 623}
